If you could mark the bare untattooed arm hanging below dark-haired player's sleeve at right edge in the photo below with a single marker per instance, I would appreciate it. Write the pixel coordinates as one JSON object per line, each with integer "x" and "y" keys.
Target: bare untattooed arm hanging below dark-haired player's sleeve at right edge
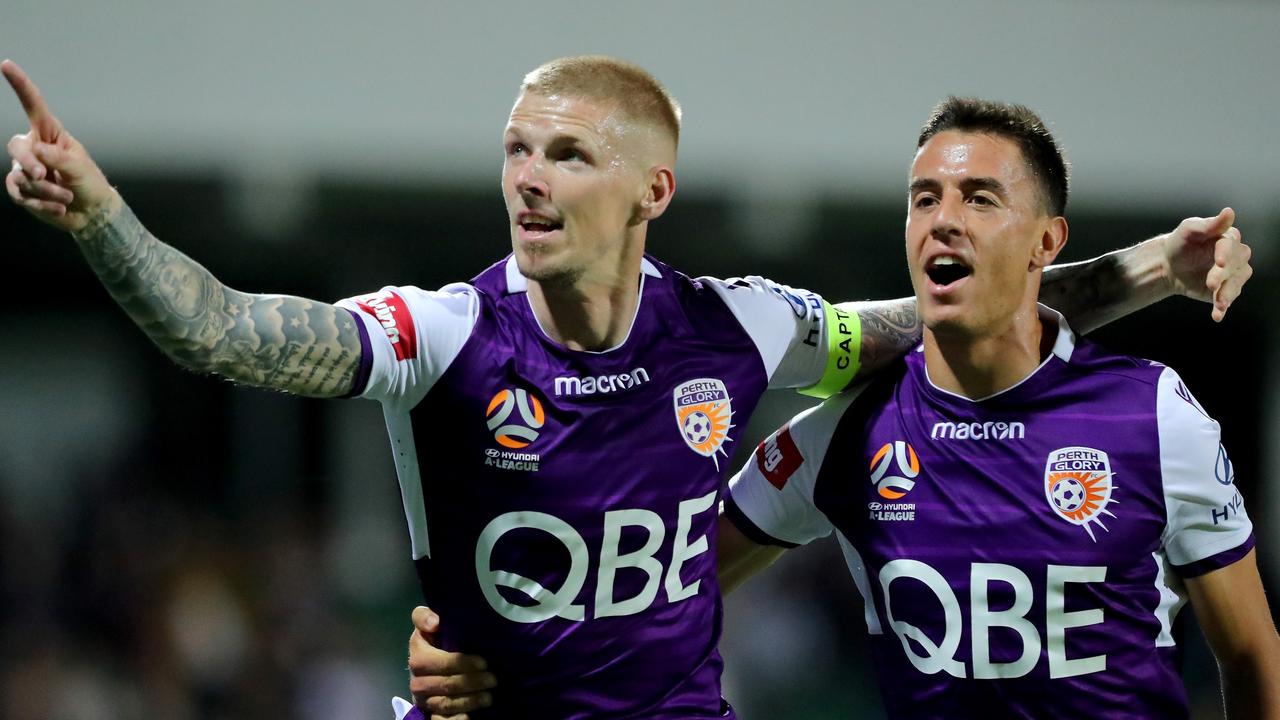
{"x": 1233, "y": 612}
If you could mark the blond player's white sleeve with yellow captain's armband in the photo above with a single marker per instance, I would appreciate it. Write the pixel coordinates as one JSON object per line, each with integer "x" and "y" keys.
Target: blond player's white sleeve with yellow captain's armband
{"x": 804, "y": 341}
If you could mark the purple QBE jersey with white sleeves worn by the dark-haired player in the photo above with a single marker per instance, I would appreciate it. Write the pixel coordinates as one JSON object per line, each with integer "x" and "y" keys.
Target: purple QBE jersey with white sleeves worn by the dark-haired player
{"x": 1020, "y": 555}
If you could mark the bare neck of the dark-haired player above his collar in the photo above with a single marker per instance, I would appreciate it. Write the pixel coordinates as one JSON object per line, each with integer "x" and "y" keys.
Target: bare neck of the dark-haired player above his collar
{"x": 981, "y": 366}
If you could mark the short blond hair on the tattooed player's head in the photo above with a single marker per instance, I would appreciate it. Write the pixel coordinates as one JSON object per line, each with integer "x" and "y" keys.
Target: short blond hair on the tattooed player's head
{"x": 601, "y": 78}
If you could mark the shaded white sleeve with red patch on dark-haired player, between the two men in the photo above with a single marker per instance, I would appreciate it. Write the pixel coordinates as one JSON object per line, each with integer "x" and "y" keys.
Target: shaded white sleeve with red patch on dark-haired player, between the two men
{"x": 771, "y": 499}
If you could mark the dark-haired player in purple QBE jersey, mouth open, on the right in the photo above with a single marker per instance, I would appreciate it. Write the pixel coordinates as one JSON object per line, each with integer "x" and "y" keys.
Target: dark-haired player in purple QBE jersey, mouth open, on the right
{"x": 1023, "y": 512}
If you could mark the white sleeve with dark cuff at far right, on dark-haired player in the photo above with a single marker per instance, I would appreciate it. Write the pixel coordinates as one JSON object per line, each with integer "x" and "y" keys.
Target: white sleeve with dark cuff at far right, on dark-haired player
{"x": 1205, "y": 514}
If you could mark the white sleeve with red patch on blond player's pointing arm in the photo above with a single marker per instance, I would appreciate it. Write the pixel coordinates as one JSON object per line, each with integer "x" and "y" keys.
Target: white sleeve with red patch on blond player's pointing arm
{"x": 413, "y": 338}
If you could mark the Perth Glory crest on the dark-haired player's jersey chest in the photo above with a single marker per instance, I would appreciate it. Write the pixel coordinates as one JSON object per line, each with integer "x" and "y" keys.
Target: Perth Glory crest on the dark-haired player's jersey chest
{"x": 1078, "y": 486}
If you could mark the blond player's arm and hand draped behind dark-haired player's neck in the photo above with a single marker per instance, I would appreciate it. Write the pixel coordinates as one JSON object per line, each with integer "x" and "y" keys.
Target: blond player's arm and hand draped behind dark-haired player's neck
{"x": 1204, "y": 258}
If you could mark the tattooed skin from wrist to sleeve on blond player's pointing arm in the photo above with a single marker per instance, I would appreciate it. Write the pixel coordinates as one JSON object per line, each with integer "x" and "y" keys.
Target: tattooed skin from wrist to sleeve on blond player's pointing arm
{"x": 273, "y": 341}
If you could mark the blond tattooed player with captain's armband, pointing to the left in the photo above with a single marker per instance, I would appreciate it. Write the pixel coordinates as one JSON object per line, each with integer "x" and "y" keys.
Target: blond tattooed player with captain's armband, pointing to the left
{"x": 566, "y": 523}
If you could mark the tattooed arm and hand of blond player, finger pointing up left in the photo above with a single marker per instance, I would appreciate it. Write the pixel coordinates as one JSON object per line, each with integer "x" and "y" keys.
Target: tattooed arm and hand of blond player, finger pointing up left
{"x": 271, "y": 341}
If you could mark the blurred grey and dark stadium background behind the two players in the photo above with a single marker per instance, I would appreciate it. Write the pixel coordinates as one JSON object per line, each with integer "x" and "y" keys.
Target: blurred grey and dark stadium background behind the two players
{"x": 176, "y": 548}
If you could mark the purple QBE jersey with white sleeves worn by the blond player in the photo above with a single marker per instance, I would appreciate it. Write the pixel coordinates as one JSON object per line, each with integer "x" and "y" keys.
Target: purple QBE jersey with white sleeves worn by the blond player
{"x": 563, "y": 504}
